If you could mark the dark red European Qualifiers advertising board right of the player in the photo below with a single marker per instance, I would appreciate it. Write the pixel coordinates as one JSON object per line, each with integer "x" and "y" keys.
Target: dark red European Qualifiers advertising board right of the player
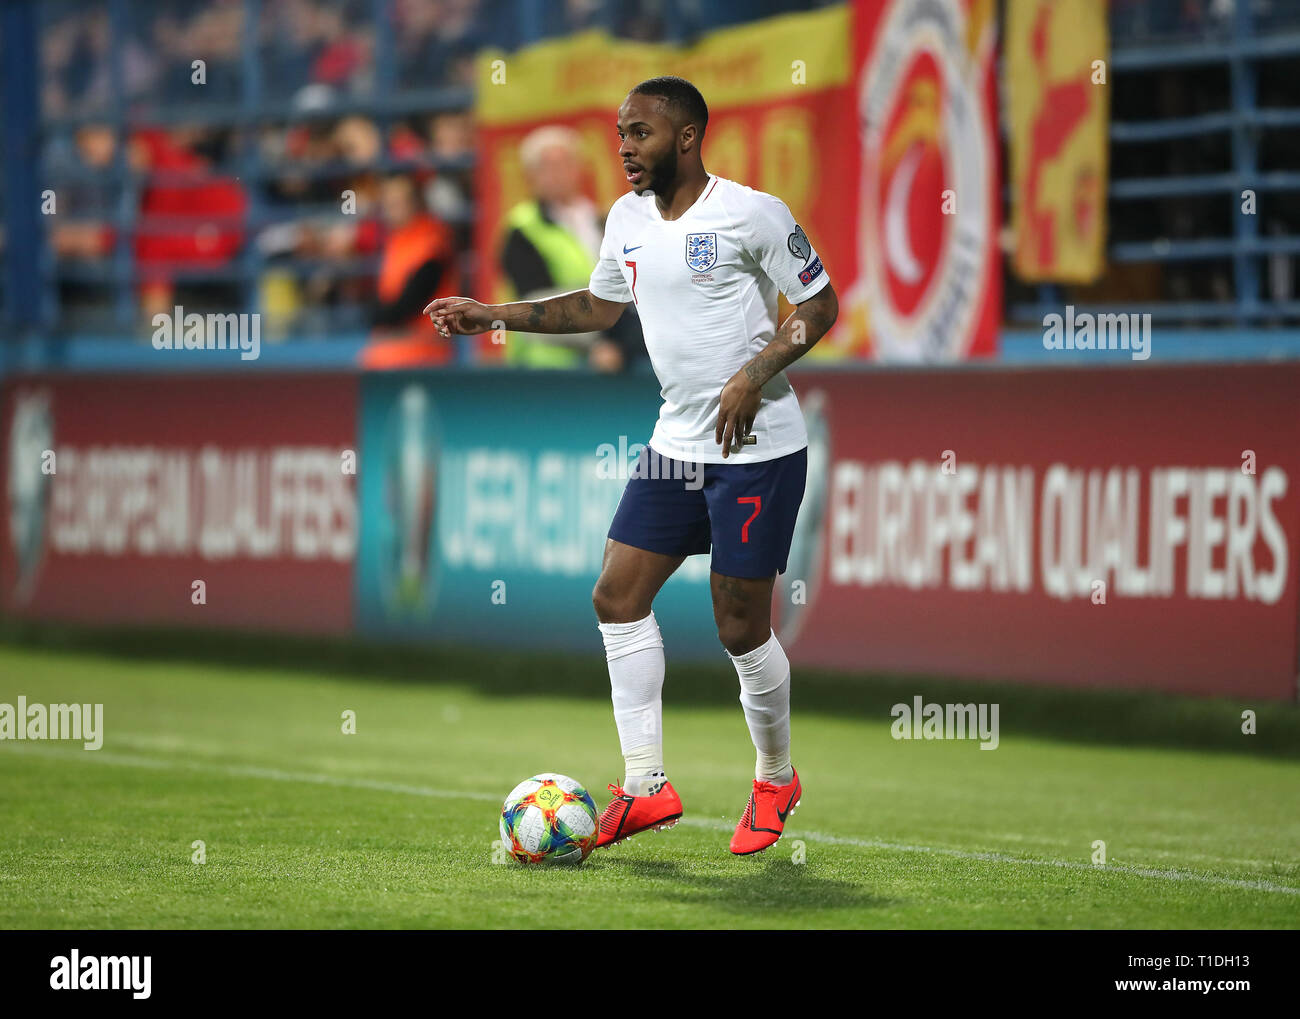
{"x": 1093, "y": 527}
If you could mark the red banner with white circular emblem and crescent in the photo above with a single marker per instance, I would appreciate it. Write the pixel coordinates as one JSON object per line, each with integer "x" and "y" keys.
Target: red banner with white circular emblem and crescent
{"x": 928, "y": 285}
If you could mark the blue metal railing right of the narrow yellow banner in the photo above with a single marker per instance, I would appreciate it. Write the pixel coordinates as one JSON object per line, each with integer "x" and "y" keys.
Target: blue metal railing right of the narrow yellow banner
{"x": 1186, "y": 41}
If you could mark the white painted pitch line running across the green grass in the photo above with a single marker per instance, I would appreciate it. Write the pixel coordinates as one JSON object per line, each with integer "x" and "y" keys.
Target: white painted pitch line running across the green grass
{"x": 248, "y": 771}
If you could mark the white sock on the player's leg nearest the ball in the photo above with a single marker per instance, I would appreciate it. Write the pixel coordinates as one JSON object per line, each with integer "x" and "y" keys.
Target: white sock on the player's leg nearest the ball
{"x": 635, "y": 656}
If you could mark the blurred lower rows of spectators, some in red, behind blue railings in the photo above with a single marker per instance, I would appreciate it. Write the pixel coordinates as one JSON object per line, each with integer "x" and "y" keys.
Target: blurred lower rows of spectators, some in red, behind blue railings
{"x": 318, "y": 213}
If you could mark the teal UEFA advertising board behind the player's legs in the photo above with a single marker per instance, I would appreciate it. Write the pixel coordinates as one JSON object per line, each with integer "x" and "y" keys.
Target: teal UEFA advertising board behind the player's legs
{"x": 518, "y": 476}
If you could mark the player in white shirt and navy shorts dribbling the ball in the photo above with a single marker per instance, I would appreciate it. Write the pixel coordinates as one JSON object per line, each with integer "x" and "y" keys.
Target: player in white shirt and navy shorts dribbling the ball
{"x": 701, "y": 258}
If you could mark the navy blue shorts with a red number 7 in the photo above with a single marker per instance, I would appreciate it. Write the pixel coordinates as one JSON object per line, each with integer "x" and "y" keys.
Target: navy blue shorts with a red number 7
{"x": 746, "y": 513}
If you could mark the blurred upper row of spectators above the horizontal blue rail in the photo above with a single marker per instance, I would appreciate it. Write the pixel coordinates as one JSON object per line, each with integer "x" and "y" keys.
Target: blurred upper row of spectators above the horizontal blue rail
{"x": 309, "y": 53}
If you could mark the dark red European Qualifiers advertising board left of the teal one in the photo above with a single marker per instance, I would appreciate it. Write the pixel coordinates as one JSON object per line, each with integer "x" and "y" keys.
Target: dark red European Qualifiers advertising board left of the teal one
{"x": 181, "y": 501}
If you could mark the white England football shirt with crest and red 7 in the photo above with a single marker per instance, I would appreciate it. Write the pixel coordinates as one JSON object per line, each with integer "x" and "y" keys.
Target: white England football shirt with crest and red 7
{"x": 705, "y": 288}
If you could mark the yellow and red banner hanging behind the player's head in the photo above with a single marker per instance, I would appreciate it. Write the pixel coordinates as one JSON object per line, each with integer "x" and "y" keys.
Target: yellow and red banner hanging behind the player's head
{"x": 779, "y": 119}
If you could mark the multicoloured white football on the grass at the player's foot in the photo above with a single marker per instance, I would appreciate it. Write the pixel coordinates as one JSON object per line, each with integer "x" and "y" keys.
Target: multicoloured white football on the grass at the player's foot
{"x": 549, "y": 819}
